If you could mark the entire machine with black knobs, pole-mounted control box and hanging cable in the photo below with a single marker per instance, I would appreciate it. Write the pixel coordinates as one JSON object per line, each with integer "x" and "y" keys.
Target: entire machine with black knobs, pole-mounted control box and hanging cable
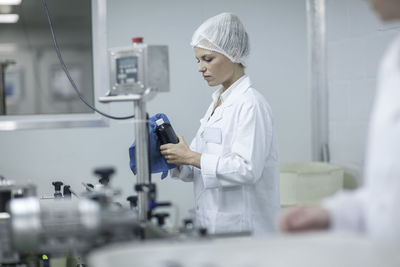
{"x": 63, "y": 224}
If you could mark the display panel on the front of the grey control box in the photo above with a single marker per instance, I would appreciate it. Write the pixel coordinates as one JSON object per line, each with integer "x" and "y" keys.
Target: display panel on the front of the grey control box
{"x": 127, "y": 70}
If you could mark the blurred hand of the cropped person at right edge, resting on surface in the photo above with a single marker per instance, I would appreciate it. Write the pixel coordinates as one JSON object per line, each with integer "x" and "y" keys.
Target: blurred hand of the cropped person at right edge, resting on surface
{"x": 309, "y": 218}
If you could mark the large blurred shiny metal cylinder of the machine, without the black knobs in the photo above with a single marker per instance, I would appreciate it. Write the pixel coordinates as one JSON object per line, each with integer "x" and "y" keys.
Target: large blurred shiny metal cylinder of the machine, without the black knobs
{"x": 68, "y": 225}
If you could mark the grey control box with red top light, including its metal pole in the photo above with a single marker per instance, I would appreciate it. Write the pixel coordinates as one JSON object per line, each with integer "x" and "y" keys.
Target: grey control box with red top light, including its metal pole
{"x": 137, "y": 72}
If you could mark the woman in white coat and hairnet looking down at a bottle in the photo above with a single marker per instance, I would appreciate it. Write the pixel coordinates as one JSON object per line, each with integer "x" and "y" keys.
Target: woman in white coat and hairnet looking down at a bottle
{"x": 233, "y": 160}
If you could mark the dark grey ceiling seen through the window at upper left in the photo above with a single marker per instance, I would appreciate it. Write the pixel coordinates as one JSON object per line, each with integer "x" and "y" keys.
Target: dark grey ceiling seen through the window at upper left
{"x": 71, "y": 20}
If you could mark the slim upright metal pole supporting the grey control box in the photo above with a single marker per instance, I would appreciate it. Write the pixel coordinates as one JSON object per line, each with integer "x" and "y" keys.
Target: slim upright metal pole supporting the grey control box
{"x": 142, "y": 156}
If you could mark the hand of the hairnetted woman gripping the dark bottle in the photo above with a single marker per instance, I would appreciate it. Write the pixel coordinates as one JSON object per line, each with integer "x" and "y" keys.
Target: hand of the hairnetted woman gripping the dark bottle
{"x": 180, "y": 154}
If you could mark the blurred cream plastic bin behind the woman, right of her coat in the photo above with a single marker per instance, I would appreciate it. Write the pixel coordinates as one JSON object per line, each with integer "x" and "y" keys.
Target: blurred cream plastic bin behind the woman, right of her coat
{"x": 309, "y": 182}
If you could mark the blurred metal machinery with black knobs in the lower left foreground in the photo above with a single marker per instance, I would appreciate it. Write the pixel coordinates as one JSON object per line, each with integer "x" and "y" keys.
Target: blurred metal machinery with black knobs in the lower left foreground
{"x": 64, "y": 224}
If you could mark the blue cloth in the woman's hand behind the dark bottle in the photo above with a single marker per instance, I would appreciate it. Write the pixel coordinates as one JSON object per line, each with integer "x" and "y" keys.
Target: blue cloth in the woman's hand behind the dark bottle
{"x": 157, "y": 161}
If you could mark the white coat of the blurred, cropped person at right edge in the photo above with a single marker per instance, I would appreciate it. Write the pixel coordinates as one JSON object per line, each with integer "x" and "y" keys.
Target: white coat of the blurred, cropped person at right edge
{"x": 374, "y": 209}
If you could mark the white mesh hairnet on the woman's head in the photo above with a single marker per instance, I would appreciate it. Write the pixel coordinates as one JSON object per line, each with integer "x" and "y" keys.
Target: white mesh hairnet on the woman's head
{"x": 224, "y": 34}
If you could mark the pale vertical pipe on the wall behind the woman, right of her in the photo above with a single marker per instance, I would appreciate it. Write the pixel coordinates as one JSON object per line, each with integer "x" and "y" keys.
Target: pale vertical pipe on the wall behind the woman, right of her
{"x": 316, "y": 29}
